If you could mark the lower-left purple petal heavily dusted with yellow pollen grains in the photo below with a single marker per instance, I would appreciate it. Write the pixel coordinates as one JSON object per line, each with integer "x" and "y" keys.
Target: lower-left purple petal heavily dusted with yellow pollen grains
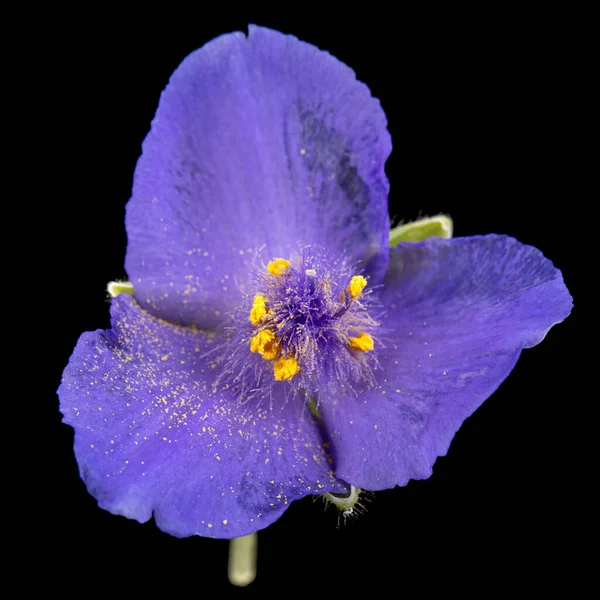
{"x": 151, "y": 436}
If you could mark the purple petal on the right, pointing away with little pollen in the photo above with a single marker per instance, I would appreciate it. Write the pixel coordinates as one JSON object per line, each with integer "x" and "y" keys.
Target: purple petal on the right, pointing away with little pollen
{"x": 459, "y": 312}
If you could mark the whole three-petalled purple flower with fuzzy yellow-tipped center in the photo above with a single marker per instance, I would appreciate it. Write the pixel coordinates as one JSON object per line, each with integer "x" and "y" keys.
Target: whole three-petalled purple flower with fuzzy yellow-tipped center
{"x": 275, "y": 345}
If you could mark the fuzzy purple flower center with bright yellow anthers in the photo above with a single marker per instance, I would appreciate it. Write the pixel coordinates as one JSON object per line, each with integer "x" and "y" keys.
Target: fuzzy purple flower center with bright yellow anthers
{"x": 307, "y": 324}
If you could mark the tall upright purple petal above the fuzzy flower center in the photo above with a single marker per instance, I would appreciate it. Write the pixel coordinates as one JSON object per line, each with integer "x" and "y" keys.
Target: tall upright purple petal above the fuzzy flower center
{"x": 258, "y": 142}
